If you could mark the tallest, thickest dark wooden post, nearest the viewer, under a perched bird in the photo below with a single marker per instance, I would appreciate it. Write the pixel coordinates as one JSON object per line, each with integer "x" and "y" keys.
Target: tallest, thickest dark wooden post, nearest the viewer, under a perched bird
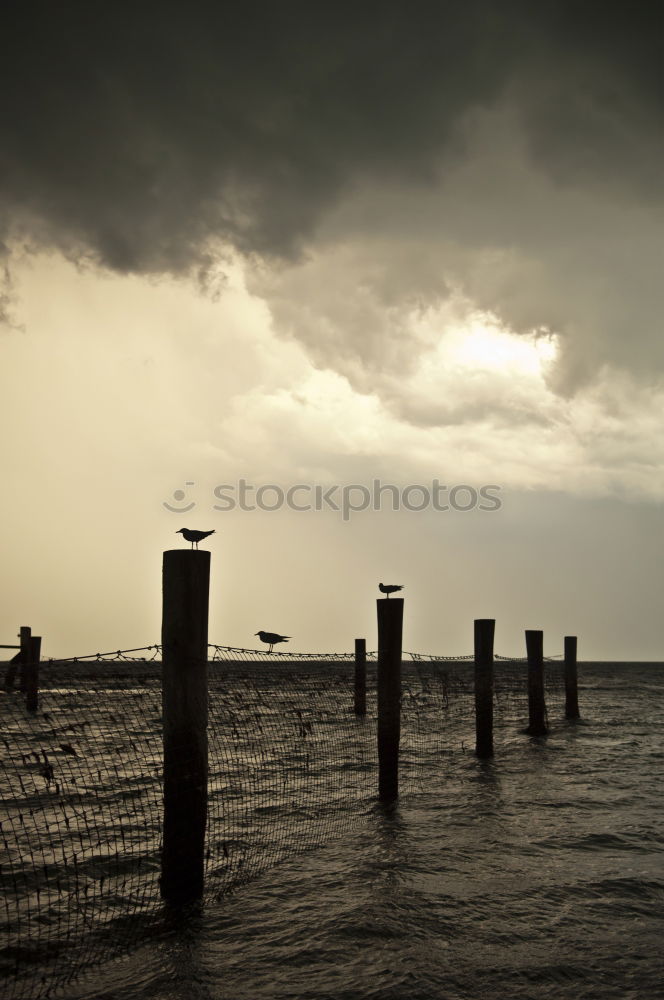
{"x": 186, "y": 581}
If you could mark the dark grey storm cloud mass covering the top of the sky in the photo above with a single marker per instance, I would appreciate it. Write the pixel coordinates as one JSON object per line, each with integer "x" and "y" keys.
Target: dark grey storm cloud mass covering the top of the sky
{"x": 145, "y": 137}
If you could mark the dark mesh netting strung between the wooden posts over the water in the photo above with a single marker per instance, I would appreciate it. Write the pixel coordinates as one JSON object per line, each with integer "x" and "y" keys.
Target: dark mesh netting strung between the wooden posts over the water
{"x": 290, "y": 767}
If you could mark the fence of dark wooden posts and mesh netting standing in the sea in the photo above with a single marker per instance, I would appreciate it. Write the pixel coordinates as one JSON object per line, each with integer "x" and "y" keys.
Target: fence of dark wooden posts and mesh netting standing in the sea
{"x": 287, "y": 754}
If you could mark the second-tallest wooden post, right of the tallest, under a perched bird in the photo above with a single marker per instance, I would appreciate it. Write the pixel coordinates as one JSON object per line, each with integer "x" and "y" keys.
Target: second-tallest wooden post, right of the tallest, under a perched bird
{"x": 390, "y": 632}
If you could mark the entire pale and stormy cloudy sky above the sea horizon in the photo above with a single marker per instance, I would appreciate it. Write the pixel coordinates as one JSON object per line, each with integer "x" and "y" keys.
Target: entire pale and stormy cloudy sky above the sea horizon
{"x": 327, "y": 244}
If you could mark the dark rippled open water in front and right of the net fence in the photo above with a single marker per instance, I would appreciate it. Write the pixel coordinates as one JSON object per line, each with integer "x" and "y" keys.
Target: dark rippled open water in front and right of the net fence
{"x": 538, "y": 875}
